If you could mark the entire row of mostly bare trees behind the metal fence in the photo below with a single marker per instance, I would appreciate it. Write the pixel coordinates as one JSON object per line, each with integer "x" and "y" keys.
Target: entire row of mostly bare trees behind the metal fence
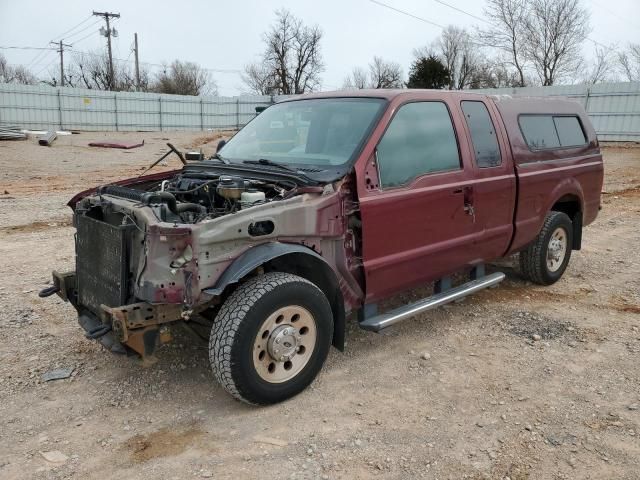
{"x": 521, "y": 43}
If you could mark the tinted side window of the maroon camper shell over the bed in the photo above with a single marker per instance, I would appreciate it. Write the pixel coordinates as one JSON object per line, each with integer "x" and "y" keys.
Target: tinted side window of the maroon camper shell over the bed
{"x": 543, "y": 132}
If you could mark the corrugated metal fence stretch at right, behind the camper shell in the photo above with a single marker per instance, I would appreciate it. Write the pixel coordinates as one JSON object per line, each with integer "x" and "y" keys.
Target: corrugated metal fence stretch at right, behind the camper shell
{"x": 614, "y": 108}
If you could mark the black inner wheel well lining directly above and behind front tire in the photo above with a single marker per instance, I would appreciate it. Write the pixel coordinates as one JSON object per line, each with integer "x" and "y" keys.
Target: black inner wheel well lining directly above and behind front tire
{"x": 320, "y": 274}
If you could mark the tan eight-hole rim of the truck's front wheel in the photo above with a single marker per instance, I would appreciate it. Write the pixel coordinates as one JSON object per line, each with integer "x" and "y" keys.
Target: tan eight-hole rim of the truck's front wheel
{"x": 284, "y": 344}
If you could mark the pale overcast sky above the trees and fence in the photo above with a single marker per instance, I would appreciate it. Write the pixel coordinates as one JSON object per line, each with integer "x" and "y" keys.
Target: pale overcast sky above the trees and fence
{"x": 226, "y": 35}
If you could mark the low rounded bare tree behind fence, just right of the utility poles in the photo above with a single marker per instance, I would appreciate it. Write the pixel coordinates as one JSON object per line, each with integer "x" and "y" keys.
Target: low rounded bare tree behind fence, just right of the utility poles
{"x": 184, "y": 78}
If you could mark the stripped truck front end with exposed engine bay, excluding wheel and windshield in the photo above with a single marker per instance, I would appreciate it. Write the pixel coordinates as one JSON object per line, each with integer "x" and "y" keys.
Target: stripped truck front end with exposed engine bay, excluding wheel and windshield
{"x": 168, "y": 248}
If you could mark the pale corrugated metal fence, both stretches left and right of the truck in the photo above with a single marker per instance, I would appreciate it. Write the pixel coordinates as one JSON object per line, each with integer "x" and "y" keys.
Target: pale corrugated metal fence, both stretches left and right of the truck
{"x": 613, "y": 107}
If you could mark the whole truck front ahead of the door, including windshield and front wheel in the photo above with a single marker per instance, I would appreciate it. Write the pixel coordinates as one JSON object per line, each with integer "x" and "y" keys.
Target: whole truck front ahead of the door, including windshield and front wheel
{"x": 256, "y": 249}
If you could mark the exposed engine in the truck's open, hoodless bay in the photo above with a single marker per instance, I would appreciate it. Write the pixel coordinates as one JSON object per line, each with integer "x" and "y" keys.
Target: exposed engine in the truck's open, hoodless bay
{"x": 191, "y": 197}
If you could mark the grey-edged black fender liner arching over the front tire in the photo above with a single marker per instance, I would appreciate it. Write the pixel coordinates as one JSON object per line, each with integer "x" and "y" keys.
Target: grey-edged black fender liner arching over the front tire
{"x": 266, "y": 252}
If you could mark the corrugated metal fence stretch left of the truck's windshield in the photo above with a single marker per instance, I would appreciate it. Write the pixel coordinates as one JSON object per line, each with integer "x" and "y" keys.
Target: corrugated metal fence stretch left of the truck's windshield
{"x": 44, "y": 107}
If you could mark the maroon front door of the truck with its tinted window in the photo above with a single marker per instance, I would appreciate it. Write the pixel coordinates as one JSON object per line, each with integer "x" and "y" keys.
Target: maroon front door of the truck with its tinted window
{"x": 416, "y": 198}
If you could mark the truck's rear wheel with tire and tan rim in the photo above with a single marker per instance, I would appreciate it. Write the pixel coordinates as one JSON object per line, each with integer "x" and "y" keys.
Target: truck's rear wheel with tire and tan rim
{"x": 546, "y": 258}
